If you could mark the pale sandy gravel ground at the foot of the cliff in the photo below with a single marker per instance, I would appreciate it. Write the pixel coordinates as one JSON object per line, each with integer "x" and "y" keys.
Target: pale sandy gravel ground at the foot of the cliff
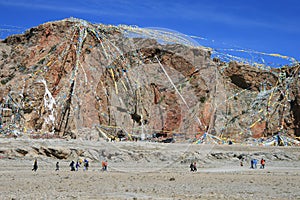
{"x": 217, "y": 177}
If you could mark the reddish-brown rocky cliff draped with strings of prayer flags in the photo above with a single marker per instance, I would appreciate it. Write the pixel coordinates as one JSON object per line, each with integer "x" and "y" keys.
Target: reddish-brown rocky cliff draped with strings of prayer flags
{"x": 86, "y": 80}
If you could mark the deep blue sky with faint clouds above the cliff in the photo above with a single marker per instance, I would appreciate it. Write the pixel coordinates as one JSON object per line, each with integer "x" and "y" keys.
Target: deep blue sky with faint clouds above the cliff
{"x": 262, "y": 25}
